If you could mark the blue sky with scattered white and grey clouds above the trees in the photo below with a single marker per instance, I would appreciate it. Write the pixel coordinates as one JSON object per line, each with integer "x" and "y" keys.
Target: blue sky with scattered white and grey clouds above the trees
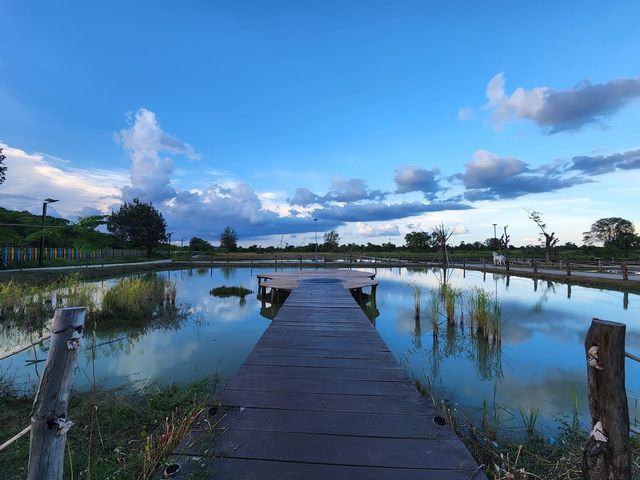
{"x": 377, "y": 118}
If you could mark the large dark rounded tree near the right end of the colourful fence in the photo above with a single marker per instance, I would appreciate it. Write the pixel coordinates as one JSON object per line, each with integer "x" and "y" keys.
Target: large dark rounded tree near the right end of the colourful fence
{"x": 138, "y": 224}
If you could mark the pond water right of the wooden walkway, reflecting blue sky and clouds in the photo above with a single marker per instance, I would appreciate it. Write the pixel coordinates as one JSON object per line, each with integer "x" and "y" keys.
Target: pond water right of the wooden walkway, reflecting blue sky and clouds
{"x": 540, "y": 358}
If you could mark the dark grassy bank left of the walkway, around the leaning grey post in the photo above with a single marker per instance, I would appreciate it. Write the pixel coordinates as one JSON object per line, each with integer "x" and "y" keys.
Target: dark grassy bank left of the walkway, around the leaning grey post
{"x": 132, "y": 432}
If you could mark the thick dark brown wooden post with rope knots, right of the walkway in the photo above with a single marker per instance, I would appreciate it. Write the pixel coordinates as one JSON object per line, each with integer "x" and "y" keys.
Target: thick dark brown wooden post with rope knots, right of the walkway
{"x": 606, "y": 453}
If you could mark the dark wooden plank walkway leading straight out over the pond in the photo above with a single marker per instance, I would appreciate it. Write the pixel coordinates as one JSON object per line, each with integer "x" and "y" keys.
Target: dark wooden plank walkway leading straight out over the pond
{"x": 321, "y": 397}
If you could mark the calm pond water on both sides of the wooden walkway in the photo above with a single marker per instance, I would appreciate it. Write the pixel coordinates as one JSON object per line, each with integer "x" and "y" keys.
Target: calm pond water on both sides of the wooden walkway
{"x": 540, "y": 362}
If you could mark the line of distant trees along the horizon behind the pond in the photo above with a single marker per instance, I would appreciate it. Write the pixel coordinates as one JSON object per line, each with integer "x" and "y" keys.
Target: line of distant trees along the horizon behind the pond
{"x": 138, "y": 224}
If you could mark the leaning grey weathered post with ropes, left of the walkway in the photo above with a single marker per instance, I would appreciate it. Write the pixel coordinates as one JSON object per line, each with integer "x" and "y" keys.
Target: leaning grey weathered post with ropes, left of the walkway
{"x": 49, "y": 416}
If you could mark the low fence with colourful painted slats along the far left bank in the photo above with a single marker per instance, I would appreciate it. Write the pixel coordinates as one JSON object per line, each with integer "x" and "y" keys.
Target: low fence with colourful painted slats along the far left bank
{"x": 14, "y": 256}
